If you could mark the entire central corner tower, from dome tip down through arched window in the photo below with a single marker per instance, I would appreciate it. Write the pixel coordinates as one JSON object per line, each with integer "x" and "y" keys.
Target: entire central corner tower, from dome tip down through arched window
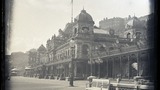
{"x": 83, "y": 34}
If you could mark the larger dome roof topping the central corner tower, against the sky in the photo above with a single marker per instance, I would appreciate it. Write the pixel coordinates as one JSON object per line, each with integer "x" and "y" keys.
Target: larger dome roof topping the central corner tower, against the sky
{"x": 84, "y": 17}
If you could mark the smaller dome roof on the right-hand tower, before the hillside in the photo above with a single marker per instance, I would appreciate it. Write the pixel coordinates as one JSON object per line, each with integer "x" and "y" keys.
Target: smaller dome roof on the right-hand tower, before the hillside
{"x": 134, "y": 23}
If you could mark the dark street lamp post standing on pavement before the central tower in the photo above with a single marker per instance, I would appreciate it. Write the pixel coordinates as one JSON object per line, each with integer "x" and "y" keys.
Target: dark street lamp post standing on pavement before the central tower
{"x": 71, "y": 64}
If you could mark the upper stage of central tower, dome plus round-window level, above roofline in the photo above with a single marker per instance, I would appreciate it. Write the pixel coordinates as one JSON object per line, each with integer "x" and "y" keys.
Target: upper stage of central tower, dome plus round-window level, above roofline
{"x": 83, "y": 25}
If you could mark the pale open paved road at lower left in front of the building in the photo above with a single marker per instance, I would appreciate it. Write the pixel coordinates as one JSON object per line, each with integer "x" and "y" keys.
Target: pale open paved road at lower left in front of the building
{"x": 25, "y": 83}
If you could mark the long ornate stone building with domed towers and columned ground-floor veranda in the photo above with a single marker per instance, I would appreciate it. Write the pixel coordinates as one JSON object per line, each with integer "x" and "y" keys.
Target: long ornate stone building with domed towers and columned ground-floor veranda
{"x": 93, "y": 51}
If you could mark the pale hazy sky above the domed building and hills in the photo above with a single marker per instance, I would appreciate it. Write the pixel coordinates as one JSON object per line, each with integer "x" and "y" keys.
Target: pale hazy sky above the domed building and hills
{"x": 35, "y": 21}
